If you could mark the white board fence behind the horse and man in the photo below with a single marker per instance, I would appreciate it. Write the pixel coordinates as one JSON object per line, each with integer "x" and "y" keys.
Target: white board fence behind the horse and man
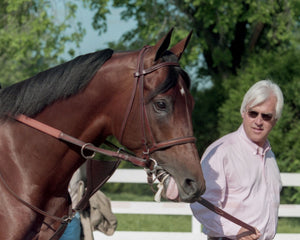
{"x": 171, "y": 208}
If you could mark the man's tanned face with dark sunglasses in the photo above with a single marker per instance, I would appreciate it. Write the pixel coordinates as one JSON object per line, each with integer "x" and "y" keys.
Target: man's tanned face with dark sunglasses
{"x": 259, "y": 120}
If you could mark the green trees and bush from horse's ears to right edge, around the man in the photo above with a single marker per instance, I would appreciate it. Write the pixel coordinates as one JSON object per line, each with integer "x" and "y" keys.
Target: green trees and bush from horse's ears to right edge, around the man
{"x": 236, "y": 43}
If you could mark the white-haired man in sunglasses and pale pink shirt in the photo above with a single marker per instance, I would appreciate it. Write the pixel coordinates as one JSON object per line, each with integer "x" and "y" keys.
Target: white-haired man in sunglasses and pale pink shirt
{"x": 241, "y": 173}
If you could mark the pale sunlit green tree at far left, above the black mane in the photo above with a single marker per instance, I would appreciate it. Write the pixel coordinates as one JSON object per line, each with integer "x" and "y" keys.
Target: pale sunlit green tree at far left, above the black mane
{"x": 33, "y": 36}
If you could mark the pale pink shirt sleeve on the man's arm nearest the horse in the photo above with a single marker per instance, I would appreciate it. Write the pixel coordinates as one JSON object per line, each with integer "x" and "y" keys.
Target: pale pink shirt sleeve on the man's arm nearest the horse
{"x": 214, "y": 175}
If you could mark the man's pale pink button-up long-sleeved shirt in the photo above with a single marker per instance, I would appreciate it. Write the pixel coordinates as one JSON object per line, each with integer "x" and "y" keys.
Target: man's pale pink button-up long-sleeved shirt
{"x": 243, "y": 179}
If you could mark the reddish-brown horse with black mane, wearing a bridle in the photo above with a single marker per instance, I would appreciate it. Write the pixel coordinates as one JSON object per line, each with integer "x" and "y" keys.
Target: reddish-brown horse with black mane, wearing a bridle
{"x": 141, "y": 97}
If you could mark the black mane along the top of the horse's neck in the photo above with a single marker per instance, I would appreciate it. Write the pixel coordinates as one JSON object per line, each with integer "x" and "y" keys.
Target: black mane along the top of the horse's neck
{"x": 31, "y": 96}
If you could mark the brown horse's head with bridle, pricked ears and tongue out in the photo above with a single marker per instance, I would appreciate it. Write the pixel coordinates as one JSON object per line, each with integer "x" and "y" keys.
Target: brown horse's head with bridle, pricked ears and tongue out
{"x": 158, "y": 124}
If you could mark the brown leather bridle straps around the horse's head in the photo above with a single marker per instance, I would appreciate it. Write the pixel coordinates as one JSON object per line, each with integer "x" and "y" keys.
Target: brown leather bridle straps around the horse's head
{"x": 149, "y": 146}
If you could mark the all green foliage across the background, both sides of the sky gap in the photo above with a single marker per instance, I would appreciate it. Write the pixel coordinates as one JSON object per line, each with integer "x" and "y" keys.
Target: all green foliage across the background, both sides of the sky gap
{"x": 235, "y": 44}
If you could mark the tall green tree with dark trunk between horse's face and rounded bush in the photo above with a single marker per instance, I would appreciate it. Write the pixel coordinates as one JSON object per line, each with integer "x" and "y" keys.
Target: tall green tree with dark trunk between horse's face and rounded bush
{"x": 227, "y": 34}
